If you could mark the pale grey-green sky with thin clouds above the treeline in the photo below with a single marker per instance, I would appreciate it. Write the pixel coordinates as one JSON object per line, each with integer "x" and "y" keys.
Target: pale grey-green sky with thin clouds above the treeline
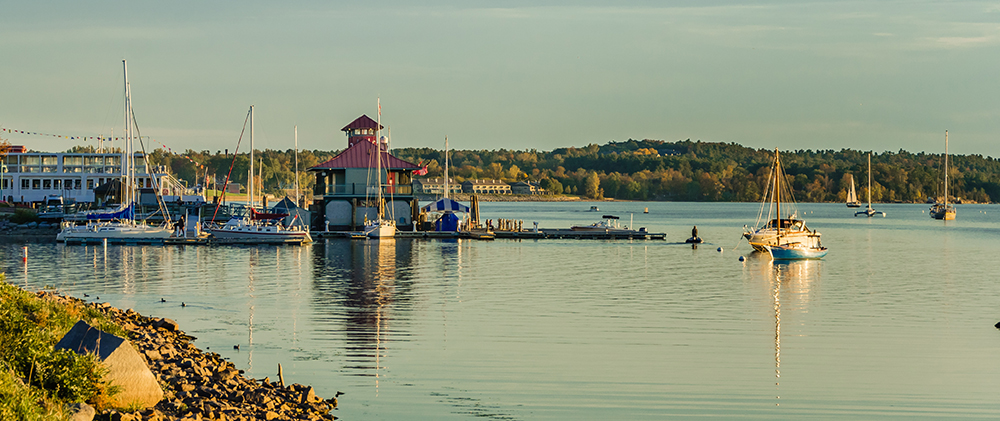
{"x": 867, "y": 75}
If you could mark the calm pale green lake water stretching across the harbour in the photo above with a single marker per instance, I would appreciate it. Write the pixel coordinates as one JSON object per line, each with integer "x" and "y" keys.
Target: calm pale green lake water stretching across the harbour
{"x": 896, "y": 322}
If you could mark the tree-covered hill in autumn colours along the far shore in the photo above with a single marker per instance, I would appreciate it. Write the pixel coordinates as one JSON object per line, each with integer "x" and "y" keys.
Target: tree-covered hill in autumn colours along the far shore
{"x": 655, "y": 170}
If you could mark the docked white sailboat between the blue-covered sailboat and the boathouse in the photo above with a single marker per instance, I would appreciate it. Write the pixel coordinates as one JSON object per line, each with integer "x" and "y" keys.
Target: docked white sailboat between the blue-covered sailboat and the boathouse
{"x": 258, "y": 226}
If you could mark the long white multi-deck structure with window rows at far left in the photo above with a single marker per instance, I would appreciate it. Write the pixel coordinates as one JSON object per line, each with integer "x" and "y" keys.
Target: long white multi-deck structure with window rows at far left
{"x": 31, "y": 176}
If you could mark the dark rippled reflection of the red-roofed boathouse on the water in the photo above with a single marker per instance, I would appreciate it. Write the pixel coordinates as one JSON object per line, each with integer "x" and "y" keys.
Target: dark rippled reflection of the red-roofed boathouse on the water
{"x": 359, "y": 286}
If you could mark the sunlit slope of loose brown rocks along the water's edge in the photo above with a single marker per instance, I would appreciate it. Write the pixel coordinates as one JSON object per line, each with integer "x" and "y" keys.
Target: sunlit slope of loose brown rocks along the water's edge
{"x": 201, "y": 385}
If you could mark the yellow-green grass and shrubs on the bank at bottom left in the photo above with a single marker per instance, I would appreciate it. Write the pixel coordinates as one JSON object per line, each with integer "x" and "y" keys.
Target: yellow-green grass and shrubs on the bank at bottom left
{"x": 36, "y": 381}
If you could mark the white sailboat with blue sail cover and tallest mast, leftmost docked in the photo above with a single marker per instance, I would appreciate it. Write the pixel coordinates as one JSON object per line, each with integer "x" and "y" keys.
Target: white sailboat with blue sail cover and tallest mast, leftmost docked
{"x": 119, "y": 225}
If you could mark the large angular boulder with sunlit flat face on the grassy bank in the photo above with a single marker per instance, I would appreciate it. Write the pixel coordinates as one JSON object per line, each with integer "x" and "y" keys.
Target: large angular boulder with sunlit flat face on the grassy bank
{"x": 126, "y": 368}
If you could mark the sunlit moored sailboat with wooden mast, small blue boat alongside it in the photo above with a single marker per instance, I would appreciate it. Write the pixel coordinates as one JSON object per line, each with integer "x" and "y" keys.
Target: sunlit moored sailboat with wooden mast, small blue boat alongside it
{"x": 783, "y": 238}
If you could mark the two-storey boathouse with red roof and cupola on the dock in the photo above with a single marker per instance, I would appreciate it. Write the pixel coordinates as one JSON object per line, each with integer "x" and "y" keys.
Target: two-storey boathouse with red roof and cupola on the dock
{"x": 345, "y": 195}
